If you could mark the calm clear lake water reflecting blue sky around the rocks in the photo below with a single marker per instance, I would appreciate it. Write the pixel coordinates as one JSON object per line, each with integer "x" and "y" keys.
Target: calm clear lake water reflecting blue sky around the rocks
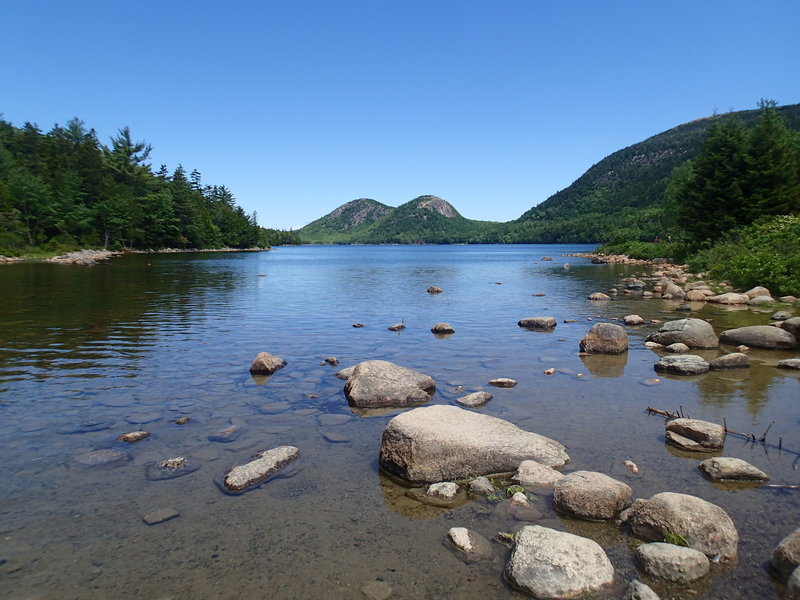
{"x": 89, "y": 353}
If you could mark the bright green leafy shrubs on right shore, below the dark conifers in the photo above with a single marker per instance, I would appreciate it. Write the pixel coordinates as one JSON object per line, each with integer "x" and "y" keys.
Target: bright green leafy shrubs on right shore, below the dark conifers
{"x": 766, "y": 253}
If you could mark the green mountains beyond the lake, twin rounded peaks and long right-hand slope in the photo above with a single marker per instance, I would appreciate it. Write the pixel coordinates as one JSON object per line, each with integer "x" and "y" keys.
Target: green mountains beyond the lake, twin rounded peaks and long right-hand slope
{"x": 620, "y": 198}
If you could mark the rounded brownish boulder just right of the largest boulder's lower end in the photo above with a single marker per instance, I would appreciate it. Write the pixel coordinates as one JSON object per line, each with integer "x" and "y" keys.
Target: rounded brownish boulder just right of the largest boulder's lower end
{"x": 591, "y": 496}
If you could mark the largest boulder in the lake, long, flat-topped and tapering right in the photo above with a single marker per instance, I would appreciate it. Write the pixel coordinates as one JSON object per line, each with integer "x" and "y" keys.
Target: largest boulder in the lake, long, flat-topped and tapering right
{"x": 441, "y": 443}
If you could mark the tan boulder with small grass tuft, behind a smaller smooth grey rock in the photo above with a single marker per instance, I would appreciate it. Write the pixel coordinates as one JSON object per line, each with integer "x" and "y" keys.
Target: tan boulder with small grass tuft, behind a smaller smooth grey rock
{"x": 705, "y": 526}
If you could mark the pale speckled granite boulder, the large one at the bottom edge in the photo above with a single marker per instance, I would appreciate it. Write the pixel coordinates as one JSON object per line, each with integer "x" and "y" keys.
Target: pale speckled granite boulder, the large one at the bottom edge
{"x": 549, "y": 564}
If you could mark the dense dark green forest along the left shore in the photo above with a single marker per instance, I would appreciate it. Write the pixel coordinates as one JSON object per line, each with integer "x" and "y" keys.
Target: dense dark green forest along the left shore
{"x": 63, "y": 189}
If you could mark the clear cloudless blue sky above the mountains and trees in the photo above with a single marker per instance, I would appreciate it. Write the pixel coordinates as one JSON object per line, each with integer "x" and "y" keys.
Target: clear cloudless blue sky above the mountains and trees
{"x": 300, "y": 106}
